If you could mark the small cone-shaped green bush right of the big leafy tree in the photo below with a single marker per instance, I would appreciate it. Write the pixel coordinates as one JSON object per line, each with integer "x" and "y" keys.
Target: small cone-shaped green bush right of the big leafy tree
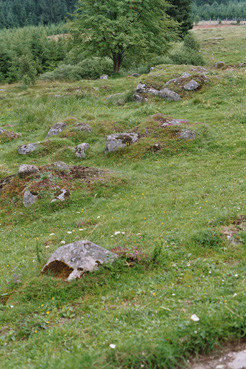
{"x": 188, "y": 52}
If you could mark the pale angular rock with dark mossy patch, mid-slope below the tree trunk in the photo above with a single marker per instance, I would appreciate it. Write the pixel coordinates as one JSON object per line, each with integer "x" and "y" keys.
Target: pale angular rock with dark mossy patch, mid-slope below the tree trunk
{"x": 119, "y": 140}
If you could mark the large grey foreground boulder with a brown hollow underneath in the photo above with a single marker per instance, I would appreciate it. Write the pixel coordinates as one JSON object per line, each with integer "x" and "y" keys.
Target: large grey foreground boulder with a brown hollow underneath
{"x": 71, "y": 261}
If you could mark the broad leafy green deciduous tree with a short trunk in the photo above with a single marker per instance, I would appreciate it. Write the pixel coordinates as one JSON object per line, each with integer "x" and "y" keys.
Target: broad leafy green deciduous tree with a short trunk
{"x": 117, "y": 28}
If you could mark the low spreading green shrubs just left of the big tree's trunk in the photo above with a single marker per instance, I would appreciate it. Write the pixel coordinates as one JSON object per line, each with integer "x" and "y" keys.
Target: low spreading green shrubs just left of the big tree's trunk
{"x": 91, "y": 68}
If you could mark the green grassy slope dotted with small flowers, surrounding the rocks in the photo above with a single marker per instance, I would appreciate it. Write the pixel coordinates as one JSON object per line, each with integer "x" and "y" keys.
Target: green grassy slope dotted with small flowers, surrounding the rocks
{"x": 160, "y": 200}
